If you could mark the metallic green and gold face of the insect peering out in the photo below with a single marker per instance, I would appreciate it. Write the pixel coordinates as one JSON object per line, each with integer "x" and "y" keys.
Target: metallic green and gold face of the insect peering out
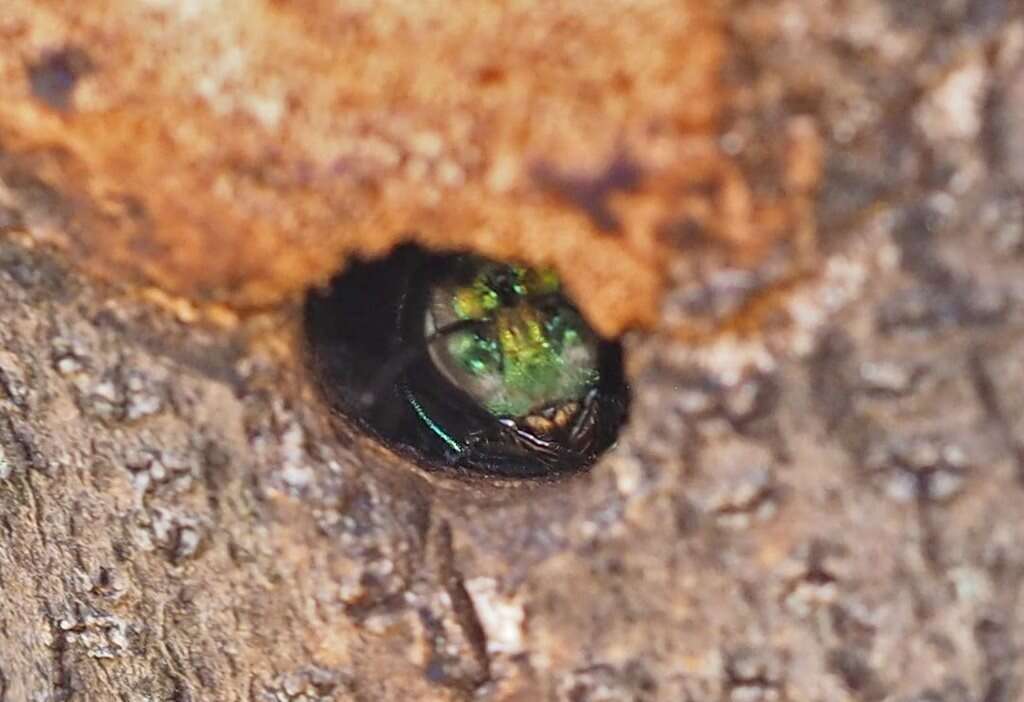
{"x": 532, "y": 349}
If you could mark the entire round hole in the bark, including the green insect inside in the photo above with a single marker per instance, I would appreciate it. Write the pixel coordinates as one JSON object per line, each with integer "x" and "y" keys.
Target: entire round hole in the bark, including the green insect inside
{"x": 461, "y": 363}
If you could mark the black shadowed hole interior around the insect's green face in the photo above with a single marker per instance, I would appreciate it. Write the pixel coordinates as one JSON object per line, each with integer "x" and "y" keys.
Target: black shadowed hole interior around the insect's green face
{"x": 366, "y": 338}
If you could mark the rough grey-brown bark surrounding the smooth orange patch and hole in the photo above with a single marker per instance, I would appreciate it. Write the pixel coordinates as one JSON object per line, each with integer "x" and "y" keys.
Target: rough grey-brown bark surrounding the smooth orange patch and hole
{"x": 831, "y": 511}
